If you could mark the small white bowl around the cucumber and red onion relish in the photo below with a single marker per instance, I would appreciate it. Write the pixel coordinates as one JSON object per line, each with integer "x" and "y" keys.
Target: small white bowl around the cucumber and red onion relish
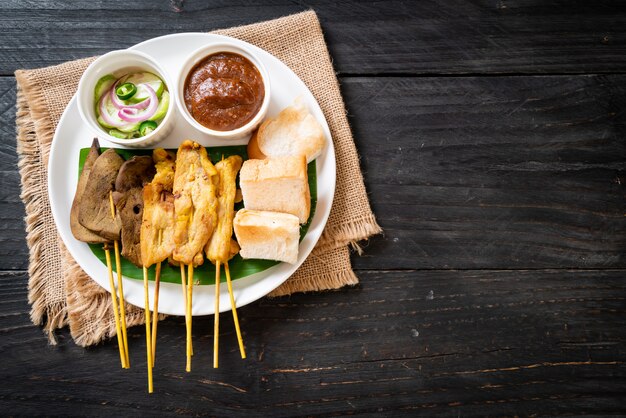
{"x": 119, "y": 63}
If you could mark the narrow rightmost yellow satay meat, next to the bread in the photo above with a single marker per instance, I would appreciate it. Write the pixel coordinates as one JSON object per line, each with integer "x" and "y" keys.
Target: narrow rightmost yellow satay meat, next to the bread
{"x": 219, "y": 246}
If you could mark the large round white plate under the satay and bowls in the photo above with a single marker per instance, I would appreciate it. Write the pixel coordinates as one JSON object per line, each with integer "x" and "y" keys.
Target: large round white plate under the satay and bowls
{"x": 72, "y": 134}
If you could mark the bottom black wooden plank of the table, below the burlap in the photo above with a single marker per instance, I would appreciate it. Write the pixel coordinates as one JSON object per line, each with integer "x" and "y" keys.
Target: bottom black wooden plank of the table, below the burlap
{"x": 437, "y": 343}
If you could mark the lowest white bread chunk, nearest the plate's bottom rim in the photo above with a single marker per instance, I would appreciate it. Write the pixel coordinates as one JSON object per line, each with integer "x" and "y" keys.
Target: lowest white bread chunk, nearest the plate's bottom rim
{"x": 267, "y": 235}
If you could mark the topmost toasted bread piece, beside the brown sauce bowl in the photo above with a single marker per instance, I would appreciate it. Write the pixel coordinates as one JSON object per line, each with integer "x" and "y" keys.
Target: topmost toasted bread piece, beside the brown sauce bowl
{"x": 294, "y": 131}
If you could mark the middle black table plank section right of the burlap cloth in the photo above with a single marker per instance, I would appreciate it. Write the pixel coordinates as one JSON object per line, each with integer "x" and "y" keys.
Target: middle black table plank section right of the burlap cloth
{"x": 497, "y": 172}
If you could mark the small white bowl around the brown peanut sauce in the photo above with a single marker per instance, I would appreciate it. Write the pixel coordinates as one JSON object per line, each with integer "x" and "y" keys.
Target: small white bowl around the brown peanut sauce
{"x": 200, "y": 54}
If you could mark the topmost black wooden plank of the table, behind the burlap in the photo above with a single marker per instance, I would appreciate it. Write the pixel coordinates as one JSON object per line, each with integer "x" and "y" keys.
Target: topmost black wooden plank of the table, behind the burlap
{"x": 365, "y": 37}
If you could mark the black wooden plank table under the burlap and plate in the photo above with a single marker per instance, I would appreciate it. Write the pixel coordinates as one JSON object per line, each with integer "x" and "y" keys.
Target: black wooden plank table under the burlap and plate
{"x": 493, "y": 144}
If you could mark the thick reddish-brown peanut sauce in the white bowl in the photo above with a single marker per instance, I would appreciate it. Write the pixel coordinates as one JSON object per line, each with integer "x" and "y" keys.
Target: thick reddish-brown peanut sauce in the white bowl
{"x": 224, "y": 91}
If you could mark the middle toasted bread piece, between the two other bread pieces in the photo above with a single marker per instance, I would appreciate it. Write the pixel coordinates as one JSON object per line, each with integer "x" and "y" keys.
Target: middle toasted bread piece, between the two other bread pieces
{"x": 278, "y": 185}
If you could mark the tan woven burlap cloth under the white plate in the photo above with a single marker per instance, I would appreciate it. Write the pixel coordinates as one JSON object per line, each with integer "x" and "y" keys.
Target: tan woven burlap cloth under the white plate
{"x": 60, "y": 293}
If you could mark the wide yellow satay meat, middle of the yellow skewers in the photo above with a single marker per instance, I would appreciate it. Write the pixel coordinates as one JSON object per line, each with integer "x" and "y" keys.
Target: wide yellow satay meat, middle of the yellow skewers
{"x": 194, "y": 201}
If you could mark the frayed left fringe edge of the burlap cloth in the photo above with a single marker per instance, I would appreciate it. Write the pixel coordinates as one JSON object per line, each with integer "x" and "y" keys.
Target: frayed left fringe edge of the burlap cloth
{"x": 30, "y": 166}
